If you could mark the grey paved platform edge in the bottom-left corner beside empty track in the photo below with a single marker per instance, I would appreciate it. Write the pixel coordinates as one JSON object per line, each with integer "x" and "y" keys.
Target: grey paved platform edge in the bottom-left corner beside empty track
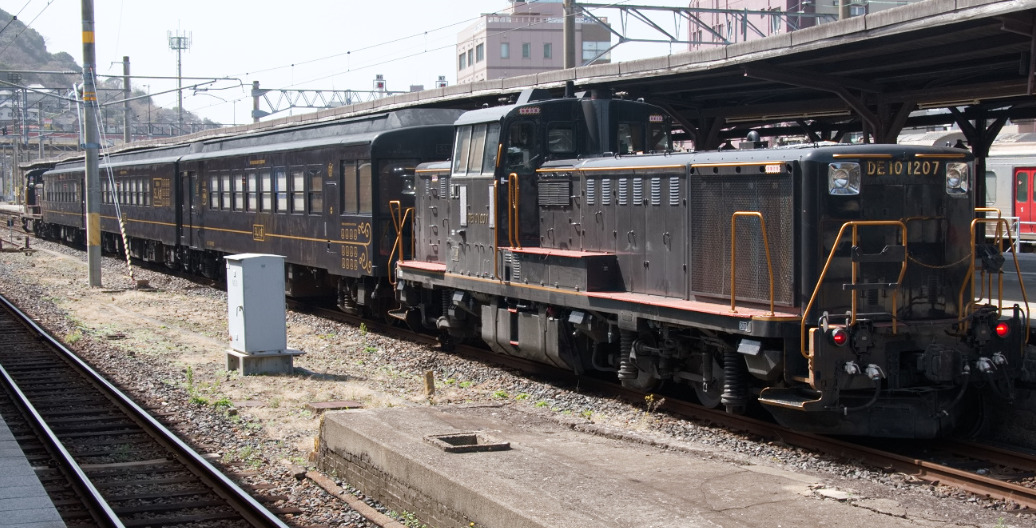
{"x": 24, "y": 504}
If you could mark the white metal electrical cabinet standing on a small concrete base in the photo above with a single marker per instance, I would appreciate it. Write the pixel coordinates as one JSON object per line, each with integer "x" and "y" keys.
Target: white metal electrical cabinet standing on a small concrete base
{"x": 255, "y": 304}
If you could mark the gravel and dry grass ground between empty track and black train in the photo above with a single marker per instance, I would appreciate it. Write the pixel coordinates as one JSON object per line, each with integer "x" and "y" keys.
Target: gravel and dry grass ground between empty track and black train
{"x": 166, "y": 347}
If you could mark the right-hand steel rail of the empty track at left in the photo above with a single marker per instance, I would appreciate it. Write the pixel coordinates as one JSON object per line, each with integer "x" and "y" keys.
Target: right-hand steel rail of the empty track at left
{"x": 245, "y": 505}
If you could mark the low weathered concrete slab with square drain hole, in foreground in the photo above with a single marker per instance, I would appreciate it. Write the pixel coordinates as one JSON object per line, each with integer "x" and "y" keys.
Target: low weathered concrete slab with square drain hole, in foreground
{"x": 557, "y": 477}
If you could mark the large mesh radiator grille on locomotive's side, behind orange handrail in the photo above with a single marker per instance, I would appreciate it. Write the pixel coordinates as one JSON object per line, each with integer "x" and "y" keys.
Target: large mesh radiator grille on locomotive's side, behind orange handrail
{"x": 714, "y": 200}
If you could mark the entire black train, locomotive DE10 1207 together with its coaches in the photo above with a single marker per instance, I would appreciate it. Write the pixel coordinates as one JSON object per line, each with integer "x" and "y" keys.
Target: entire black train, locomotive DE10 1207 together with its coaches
{"x": 840, "y": 287}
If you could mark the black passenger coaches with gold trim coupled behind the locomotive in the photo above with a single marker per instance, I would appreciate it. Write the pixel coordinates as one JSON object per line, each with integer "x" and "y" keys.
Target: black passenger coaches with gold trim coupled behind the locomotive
{"x": 319, "y": 195}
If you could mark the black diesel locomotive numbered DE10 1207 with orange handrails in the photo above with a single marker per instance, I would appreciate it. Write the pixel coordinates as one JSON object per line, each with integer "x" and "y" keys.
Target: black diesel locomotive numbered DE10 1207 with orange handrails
{"x": 836, "y": 286}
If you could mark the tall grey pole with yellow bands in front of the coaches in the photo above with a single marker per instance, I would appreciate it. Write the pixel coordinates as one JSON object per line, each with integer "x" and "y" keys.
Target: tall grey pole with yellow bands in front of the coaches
{"x": 92, "y": 146}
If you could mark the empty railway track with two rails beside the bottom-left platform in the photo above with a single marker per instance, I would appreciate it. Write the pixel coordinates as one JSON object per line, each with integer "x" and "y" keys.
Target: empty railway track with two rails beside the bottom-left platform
{"x": 109, "y": 462}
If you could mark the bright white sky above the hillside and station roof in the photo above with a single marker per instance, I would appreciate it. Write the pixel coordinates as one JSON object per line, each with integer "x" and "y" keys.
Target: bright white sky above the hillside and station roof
{"x": 302, "y": 45}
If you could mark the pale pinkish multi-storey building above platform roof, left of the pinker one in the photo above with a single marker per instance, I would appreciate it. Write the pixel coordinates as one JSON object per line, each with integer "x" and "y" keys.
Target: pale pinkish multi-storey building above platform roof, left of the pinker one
{"x": 526, "y": 39}
